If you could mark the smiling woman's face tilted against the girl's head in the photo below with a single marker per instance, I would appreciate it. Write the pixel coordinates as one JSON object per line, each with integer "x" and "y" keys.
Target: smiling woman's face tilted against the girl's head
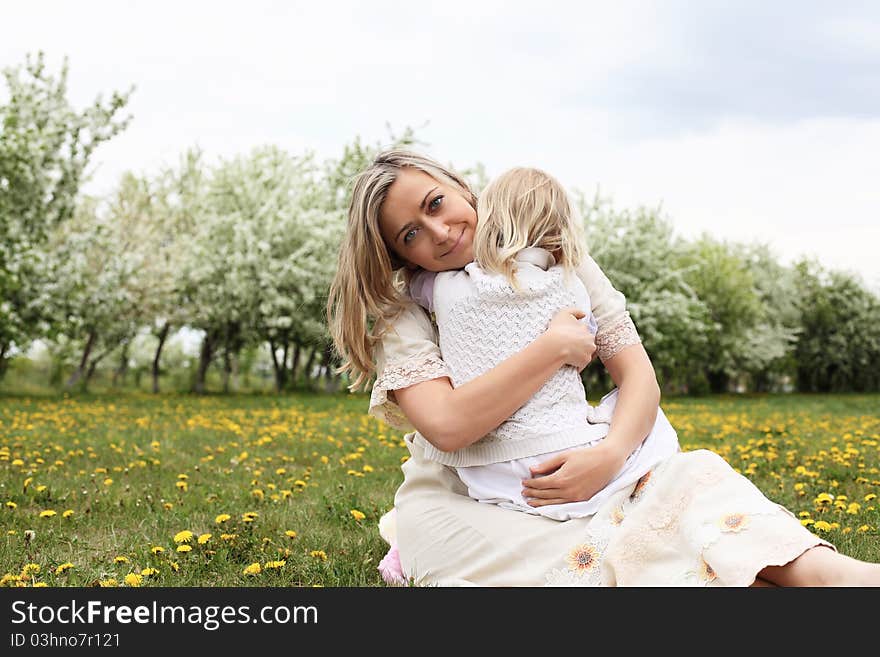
{"x": 428, "y": 223}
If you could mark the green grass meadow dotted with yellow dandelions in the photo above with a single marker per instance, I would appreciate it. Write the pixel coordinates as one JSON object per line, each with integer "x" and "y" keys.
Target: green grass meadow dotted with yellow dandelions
{"x": 264, "y": 490}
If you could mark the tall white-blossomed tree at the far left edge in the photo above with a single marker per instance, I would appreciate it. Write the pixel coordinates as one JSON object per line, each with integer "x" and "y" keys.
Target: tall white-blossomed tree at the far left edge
{"x": 45, "y": 147}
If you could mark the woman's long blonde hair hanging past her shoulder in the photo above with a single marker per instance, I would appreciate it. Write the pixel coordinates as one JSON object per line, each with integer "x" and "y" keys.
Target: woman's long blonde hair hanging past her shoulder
{"x": 365, "y": 294}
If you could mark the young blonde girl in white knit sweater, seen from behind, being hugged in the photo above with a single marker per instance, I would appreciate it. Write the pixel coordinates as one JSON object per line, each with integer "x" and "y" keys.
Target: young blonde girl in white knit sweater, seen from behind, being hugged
{"x": 527, "y": 247}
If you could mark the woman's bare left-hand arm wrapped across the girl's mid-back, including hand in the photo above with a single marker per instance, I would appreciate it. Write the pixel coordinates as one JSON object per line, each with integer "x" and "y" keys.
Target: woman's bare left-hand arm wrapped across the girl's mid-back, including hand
{"x": 452, "y": 418}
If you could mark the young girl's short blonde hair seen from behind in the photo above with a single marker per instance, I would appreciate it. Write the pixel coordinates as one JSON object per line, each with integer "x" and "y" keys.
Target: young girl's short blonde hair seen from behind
{"x": 524, "y": 208}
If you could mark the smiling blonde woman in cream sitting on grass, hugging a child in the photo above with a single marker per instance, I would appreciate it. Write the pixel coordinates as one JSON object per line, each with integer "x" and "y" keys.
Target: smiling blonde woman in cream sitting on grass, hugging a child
{"x": 693, "y": 521}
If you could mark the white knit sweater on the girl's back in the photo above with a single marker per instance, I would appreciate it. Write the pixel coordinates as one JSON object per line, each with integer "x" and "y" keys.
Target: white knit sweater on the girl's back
{"x": 482, "y": 321}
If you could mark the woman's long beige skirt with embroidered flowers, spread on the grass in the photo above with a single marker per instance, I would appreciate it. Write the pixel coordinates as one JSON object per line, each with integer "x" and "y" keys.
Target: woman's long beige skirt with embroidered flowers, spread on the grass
{"x": 691, "y": 521}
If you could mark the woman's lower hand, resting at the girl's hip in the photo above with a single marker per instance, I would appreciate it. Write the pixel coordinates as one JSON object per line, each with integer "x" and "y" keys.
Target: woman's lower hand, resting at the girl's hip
{"x": 576, "y": 475}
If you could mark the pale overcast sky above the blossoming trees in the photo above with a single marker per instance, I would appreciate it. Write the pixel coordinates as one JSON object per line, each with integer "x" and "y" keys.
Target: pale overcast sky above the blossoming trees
{"x": 752, "y": 121}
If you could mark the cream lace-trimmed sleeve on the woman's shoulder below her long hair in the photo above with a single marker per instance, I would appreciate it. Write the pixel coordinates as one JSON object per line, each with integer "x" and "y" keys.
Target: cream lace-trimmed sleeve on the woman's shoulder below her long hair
{"x": 408, "y": 354}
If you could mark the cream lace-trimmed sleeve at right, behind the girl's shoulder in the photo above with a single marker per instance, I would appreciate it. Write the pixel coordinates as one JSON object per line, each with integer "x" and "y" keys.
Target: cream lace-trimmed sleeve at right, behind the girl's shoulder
{"x": 616, "y": 328}
